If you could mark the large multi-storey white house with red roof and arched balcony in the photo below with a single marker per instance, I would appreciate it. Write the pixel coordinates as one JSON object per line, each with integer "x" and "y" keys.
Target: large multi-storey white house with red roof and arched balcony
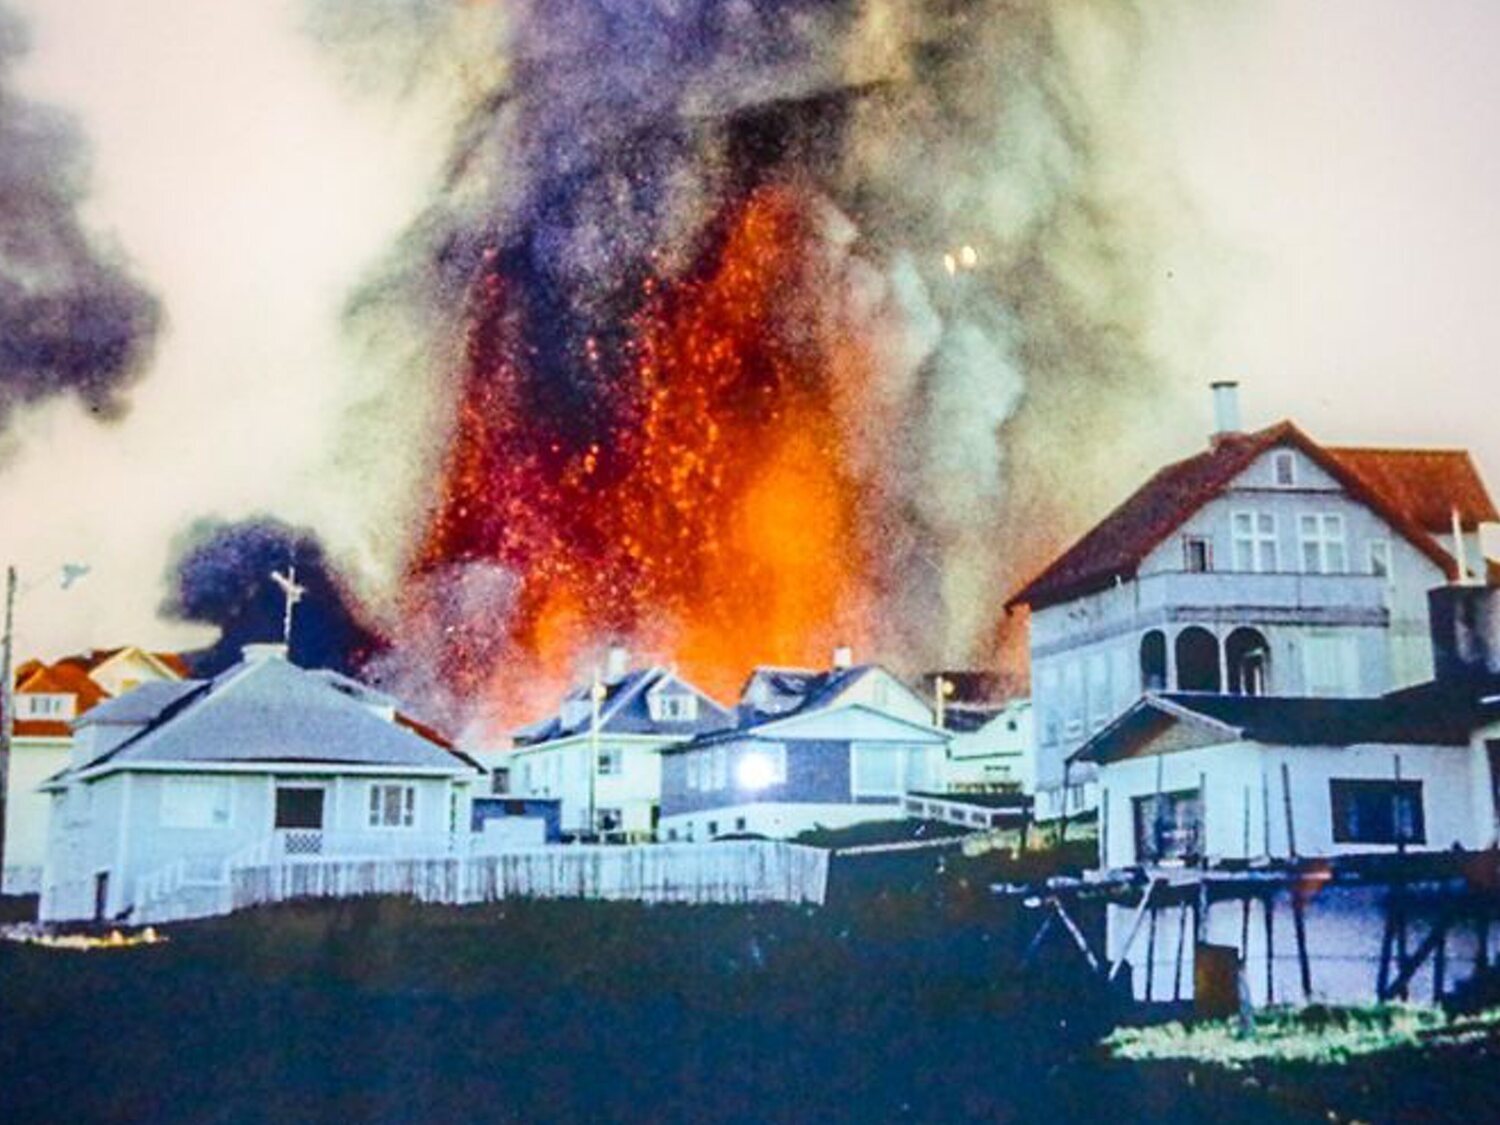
{"x": 1268, "y": 565}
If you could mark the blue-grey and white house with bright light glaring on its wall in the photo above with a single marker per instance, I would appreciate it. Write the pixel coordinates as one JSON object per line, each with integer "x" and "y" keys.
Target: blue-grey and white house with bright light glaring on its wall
{"x": 811, "y": 749}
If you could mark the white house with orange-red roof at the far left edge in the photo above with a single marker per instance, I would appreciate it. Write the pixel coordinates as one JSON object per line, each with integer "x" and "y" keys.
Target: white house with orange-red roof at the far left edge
{"x": 49, "y": 698}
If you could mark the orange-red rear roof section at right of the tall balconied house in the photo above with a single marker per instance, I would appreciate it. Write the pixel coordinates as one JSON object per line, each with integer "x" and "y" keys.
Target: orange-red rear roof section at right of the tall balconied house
{"x": 1426, "y": 485}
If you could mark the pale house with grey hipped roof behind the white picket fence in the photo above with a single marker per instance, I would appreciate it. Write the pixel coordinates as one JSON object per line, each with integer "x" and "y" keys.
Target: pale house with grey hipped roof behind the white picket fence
{"x": 173, "y": 784}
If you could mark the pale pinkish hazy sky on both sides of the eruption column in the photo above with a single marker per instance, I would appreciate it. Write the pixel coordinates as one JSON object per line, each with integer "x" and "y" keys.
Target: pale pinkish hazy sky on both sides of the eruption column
{"x": 1340, "y": 158}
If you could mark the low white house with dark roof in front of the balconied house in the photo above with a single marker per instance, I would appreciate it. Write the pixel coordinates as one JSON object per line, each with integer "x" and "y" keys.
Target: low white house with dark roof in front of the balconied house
{"x": 1189, "y": 779}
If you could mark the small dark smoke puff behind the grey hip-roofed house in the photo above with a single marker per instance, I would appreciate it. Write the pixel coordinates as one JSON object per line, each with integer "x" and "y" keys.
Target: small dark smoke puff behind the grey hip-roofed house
{"x": 223, "y": 577}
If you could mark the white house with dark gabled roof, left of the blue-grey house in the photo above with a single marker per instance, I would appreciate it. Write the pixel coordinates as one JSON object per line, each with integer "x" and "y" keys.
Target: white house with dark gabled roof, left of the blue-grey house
{"x": 599, "y": 754}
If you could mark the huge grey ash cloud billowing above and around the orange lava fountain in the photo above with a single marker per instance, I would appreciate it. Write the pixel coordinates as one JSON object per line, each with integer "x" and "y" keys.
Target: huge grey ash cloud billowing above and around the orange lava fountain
{"x": 994, "y": 232}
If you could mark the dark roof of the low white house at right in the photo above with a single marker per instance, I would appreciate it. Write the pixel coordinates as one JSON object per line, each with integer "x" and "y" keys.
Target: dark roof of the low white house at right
{"x": 1286, "y": 721}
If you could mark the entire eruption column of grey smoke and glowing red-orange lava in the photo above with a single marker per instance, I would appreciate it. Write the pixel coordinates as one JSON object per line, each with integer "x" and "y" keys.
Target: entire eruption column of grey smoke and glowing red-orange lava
{"x": 968, "y": 298}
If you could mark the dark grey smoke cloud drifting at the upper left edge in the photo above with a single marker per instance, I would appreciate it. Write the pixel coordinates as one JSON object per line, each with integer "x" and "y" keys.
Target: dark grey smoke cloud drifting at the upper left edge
{"x": 73, "y": 319}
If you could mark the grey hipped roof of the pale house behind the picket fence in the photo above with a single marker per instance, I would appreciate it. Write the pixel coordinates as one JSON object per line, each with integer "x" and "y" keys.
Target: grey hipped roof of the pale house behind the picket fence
{"x": 269, "y": 712}
